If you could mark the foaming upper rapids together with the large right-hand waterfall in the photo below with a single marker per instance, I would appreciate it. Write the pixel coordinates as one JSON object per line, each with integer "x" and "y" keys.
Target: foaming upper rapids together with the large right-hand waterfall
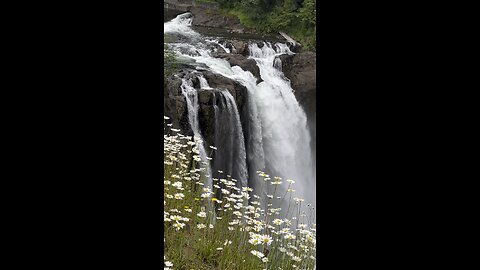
{"x": 279, "y": 140}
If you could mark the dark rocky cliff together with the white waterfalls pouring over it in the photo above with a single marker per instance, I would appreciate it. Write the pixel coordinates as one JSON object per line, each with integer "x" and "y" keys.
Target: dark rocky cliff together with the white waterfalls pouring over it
{"x": 216, "y": 86}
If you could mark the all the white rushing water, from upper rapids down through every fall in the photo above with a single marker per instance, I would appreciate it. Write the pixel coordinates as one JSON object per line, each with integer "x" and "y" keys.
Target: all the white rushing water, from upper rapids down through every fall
{"x": 278, "y": 140}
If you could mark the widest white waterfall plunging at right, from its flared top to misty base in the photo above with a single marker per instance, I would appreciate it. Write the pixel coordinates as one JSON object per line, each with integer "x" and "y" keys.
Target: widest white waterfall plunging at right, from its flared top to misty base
{"x": 286, "y": 140}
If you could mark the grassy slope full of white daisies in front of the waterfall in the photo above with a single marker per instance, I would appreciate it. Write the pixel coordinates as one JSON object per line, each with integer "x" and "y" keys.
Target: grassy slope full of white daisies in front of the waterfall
{"x": 223, "y": 226}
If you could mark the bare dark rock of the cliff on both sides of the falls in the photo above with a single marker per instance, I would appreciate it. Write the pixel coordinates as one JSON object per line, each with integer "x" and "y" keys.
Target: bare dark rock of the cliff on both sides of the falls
{"x": 299, "y": 68}
